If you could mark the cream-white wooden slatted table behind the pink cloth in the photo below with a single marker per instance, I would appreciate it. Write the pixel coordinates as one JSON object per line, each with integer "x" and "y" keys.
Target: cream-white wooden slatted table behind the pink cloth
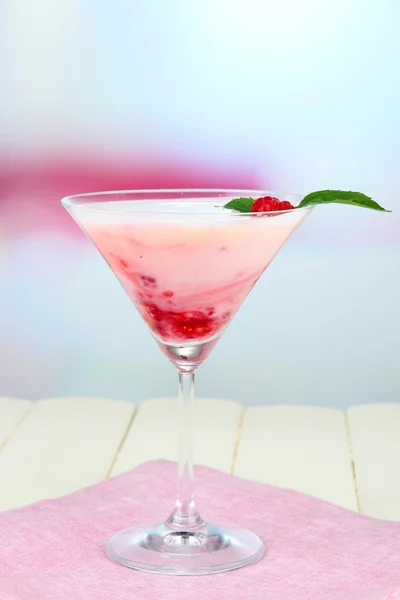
{"x": 55, "y": 446}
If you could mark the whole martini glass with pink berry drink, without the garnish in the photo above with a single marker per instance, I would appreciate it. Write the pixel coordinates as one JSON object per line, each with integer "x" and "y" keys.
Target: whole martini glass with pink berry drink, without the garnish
{"x": 187, "y": 264}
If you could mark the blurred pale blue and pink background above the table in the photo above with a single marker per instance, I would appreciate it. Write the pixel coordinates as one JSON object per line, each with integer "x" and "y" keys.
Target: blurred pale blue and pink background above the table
{"x": 294, "y": 96}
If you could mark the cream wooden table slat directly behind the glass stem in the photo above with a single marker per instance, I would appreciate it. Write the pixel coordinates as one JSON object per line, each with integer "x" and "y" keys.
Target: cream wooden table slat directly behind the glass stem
{"x": 153, "y": 434}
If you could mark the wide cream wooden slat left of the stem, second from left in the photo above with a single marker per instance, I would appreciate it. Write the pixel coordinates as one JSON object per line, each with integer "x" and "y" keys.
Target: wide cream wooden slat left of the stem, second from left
{"x": 63, "y": 444}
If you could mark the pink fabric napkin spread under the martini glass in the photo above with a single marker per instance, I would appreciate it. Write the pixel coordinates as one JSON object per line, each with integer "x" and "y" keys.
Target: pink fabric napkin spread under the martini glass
{"x": 54, "y": 550}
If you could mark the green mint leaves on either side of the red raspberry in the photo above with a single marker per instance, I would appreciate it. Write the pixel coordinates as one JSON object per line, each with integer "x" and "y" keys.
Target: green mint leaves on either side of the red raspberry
{"x": 322, "y": 197}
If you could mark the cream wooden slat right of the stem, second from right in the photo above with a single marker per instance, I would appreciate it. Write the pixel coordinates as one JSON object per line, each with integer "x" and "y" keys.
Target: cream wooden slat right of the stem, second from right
{"x": 298, "y": 447}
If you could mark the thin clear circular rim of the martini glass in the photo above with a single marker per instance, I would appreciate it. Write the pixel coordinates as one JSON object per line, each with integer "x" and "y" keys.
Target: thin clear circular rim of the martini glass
{"x": 88, "y": 199}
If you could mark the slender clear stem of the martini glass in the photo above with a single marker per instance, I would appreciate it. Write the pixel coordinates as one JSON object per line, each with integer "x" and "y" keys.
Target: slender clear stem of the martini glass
{"x": 185, "y": 515}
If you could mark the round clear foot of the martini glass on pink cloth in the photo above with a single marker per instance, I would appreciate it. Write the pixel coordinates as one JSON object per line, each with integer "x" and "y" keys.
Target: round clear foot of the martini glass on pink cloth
{"x": 207, "y": 549}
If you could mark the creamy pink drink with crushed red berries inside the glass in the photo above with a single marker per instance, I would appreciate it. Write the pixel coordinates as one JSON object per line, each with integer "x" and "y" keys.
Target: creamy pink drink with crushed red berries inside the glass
{"x": 187, "y": 274}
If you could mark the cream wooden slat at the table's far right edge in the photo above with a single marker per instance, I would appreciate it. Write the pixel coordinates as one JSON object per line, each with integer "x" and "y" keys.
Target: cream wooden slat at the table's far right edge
{"x": 375, "y": 439}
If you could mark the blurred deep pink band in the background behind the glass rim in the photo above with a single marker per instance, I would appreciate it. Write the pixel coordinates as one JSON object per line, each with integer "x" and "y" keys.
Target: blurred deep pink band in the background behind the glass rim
{"x": 30, "y": 193}
